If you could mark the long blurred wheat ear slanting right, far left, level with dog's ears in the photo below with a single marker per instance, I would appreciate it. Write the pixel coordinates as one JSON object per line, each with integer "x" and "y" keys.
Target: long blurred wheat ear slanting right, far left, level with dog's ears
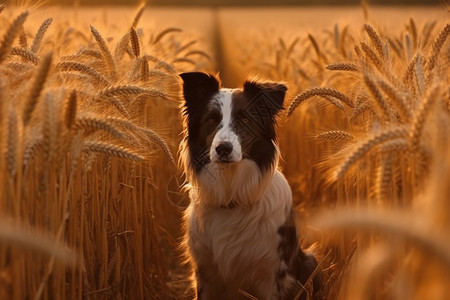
{"x": 36, "y": 87}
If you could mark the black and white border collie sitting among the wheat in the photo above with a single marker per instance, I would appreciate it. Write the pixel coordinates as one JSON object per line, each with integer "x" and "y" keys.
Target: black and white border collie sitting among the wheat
{"x": 241, "y": 234}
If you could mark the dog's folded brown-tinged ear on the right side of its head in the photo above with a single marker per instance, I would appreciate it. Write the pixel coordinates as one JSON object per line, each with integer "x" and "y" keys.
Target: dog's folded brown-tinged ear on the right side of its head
{"x": 271, "y": 93}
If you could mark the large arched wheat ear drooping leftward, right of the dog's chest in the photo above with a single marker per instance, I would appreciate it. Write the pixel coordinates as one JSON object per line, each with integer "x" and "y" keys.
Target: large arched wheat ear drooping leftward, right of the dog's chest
{"x": 366, "y": 145}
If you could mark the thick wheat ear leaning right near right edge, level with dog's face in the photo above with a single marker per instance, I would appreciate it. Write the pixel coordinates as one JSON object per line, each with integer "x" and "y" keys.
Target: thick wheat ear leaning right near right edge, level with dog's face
{"x": 420, "y": 118}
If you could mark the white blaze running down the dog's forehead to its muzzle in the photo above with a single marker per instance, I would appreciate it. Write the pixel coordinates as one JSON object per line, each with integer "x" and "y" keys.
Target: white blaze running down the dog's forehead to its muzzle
{"x": 225, "y": 134}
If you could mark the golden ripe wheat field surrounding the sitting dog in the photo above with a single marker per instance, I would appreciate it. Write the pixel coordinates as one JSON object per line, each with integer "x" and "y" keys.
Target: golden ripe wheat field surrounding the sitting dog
{"x": 90, "y": 190}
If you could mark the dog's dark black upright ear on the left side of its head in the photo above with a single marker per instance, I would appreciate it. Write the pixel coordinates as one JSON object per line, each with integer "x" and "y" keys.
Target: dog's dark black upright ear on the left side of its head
{"x": 198, "y": 88}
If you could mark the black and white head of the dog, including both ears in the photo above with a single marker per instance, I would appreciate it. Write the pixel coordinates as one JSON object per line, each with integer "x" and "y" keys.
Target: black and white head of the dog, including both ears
{"x": 228, "y": 126}
